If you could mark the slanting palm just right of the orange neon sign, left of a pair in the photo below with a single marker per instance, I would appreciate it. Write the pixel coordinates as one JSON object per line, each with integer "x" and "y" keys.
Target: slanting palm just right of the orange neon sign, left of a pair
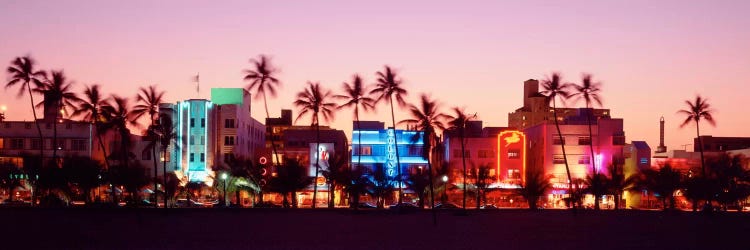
{"x": 554, "y": 88}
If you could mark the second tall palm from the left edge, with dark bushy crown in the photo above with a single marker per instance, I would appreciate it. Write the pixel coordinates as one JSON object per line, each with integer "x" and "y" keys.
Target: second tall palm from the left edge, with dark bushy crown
{"x": 58, "y": 93}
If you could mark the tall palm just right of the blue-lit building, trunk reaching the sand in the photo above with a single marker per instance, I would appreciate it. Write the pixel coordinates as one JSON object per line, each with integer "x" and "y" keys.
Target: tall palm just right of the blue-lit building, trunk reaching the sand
{"x": 427, "y": 120}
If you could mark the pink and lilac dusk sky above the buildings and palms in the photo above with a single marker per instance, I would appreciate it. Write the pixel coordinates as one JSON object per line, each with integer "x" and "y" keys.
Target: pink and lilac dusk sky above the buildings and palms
{"x": 649, "y": 55}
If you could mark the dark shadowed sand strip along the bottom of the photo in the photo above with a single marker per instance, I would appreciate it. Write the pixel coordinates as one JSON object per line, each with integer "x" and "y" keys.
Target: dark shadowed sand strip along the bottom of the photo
{"x": 345, "y": 229}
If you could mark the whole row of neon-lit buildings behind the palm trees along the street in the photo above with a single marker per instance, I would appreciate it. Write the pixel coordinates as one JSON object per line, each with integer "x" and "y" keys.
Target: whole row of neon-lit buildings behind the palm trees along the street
{"x": 209, "y": 132}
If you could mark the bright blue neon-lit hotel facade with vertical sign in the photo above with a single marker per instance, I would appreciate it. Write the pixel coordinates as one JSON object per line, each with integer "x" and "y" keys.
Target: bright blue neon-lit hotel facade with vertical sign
{"x": 377, "y": 148}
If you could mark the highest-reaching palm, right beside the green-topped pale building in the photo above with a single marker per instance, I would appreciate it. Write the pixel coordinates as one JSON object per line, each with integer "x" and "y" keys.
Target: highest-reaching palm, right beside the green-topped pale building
{"x": 262, "y": 78}
